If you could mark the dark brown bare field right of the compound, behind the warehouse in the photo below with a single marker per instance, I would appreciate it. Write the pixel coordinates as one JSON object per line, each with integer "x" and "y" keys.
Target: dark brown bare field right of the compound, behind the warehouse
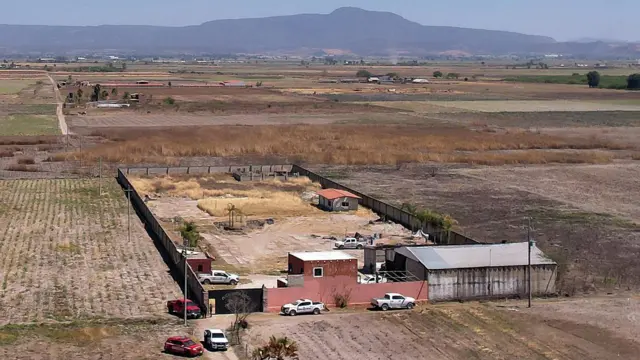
{"x": 585, "y": 217}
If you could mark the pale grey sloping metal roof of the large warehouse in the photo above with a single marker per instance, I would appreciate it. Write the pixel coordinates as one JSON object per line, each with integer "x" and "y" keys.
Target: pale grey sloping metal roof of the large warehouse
{"x": 475, "y": 256}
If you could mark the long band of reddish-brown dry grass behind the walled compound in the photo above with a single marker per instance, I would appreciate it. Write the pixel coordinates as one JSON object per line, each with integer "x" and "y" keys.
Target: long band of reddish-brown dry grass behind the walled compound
{"x": 344, "y": 144}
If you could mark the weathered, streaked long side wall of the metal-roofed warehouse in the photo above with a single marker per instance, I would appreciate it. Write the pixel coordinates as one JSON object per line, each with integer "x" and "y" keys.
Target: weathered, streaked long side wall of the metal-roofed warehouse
{"x": 465, "y": 284}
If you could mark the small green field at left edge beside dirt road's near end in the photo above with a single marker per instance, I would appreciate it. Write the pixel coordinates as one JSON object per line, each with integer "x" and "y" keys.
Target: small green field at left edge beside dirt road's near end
{"x": 26, "y": 125}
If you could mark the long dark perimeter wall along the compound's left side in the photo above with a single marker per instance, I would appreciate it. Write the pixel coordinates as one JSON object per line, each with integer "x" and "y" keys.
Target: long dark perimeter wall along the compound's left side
{"x": 175, "y": 257}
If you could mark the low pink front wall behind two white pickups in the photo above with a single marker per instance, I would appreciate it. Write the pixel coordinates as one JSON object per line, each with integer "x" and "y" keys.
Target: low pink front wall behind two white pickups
{"x": 360, "y": 294}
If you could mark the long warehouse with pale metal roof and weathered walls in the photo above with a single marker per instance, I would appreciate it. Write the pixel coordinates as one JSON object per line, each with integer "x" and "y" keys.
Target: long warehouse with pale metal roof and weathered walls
{"x": 476, "y": 271}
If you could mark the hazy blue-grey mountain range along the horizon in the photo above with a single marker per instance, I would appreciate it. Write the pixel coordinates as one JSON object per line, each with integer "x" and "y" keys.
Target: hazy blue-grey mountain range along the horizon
{"x": 346, "y": 30}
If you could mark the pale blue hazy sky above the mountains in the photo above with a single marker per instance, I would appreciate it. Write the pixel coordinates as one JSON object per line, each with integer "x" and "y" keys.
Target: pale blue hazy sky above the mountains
{"x": 561, "y": 19}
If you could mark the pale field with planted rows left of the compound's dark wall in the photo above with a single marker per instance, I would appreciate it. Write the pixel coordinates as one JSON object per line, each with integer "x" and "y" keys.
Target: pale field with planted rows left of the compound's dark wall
{"x": 65, "y": 254}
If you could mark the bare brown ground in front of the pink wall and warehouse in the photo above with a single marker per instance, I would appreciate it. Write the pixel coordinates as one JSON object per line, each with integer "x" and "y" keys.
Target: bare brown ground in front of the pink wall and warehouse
{"x": 460, "y": 332}
